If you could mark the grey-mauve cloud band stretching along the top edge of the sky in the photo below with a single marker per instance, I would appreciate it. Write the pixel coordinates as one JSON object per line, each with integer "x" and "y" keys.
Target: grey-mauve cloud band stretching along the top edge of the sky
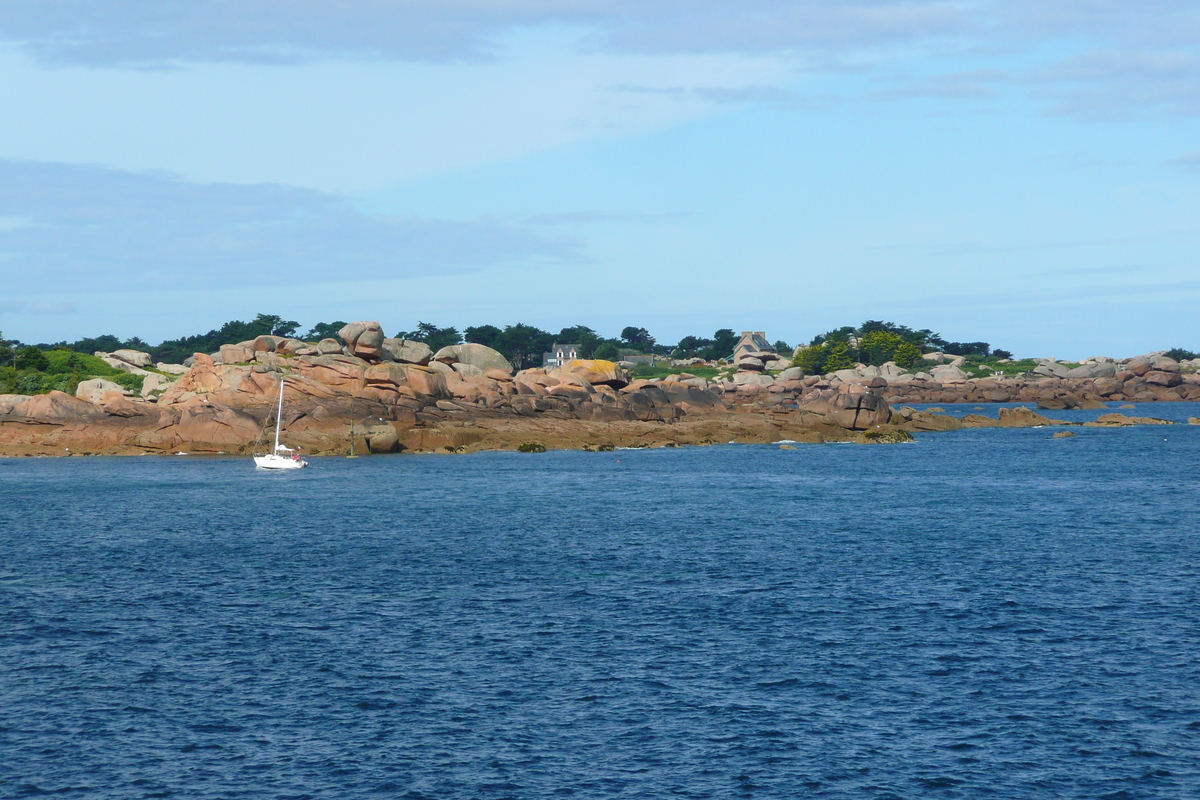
{"x": 1130, "y": 58}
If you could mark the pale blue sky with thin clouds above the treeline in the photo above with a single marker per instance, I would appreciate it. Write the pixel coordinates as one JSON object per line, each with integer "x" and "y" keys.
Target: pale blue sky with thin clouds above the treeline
{"x": 1022, "y": 172}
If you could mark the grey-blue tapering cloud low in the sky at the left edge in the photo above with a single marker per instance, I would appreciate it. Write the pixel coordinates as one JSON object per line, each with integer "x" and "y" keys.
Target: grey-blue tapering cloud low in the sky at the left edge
{"x": 99, "y": 228}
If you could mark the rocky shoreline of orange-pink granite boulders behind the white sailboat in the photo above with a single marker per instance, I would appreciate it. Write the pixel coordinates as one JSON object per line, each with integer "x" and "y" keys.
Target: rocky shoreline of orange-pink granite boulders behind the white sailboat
{"x": 401, "y": 398}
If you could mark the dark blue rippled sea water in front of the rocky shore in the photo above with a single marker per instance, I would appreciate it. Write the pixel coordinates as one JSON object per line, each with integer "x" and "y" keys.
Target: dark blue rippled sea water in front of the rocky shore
{"x": 982, "y": 615}
